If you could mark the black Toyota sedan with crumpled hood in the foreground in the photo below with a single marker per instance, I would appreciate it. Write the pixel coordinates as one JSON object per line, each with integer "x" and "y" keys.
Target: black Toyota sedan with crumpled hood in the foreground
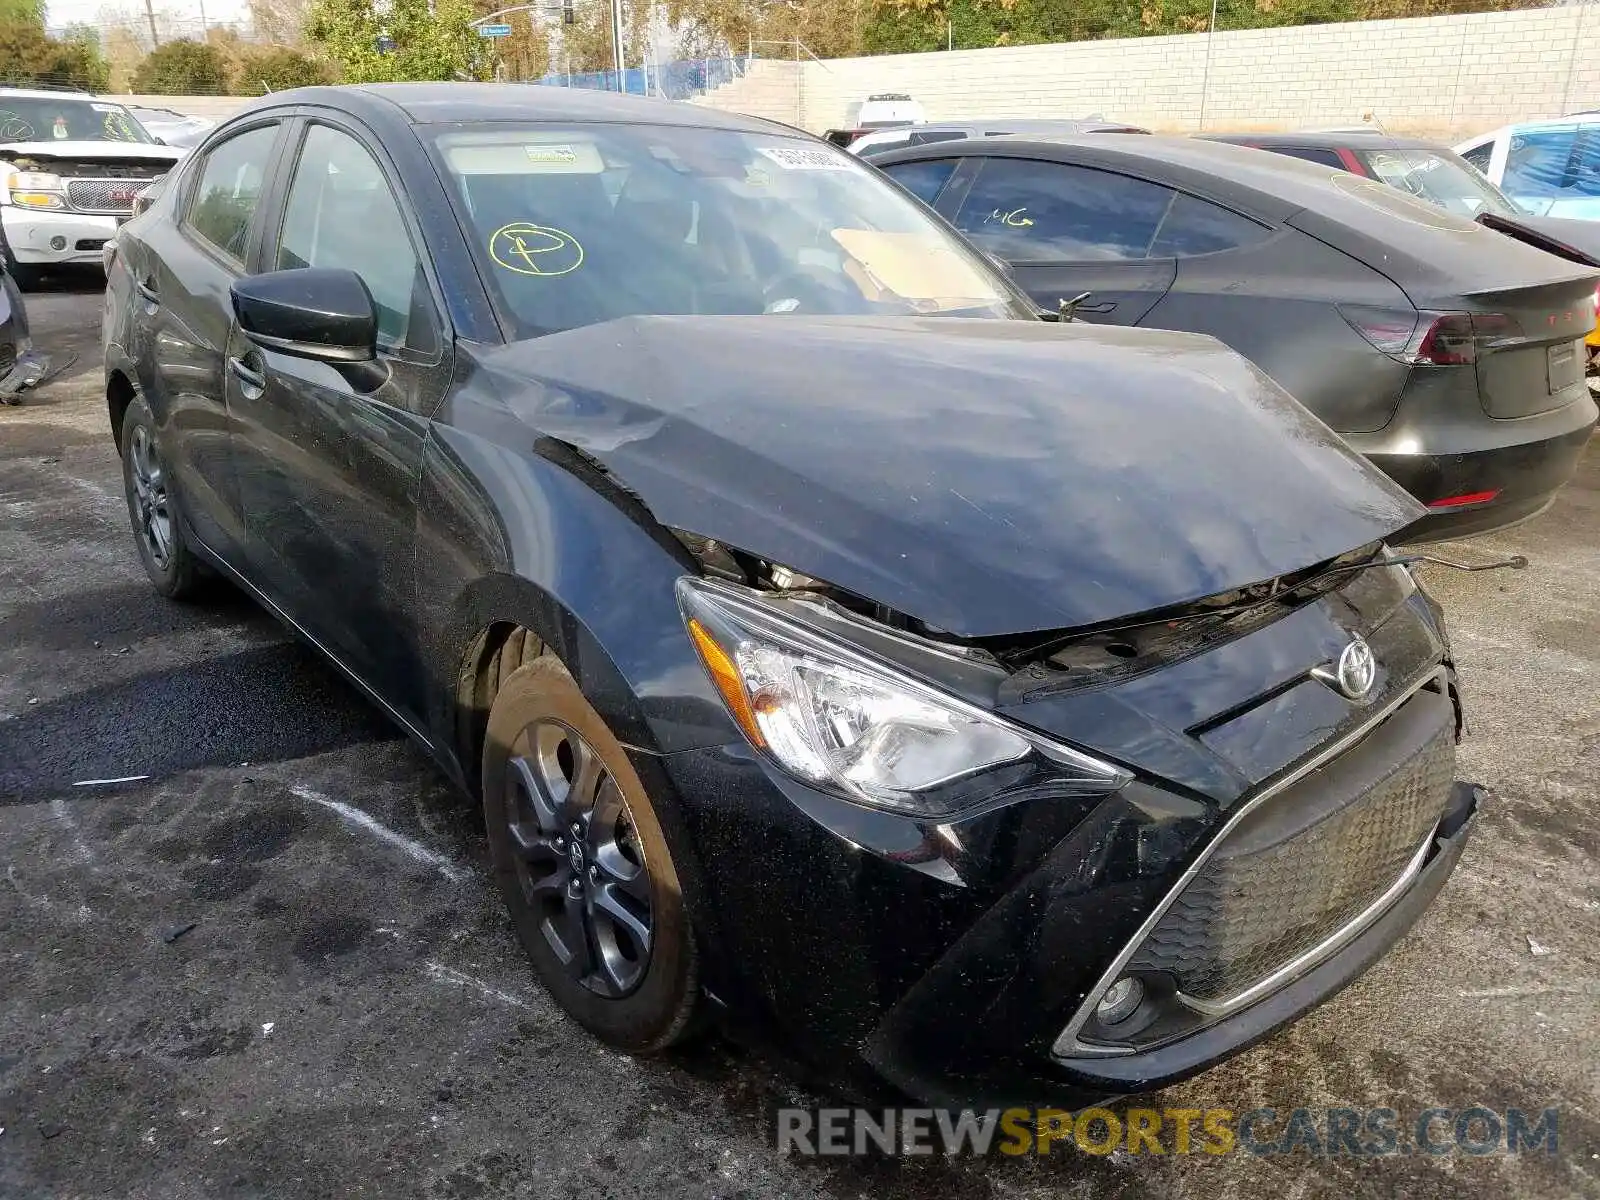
{"x": 972, "y": 706}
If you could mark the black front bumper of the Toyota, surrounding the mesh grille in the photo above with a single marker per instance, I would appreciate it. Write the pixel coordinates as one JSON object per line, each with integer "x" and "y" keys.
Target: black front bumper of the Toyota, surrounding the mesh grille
{"x": 945, "y": 962}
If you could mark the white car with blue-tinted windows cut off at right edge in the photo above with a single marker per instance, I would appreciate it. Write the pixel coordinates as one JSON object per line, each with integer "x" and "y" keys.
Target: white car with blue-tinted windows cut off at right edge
{"x": 1550, "y": 167}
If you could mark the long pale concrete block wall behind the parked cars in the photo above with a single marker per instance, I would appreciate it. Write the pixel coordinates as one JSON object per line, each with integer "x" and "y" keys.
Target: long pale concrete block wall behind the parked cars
{"x": 1446, "y": 78}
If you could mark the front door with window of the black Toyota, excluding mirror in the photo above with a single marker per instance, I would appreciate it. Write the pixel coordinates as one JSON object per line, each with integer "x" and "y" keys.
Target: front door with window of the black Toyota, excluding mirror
{"x": 329, "y": 458}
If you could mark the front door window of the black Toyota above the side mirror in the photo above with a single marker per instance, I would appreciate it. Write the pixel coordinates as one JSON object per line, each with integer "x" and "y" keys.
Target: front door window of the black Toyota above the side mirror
{"x": 342, "y": 214}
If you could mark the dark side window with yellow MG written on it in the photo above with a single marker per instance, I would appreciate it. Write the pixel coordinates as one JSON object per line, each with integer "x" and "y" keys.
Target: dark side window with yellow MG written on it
{"x": 1034, "y": 212}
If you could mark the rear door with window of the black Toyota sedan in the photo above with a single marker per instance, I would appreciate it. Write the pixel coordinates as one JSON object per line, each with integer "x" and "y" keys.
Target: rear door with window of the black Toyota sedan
{"x": 183, "y": 271}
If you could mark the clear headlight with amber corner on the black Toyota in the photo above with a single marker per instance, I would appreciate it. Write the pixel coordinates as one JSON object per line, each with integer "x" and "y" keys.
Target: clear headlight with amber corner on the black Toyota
{"x": 850, "y": 724}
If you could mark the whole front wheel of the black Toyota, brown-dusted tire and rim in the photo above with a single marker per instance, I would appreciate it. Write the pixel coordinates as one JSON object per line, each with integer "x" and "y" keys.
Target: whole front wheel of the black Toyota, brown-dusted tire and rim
{"x": 583, "y": 865}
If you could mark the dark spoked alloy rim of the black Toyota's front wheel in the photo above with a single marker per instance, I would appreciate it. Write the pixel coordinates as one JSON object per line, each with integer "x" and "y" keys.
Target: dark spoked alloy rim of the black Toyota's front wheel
{"x": 578, "y": 858}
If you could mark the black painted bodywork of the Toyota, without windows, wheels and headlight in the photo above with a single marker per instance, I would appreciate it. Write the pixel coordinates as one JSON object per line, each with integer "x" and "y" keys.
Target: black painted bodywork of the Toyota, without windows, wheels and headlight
{"x": 412, "y": 516}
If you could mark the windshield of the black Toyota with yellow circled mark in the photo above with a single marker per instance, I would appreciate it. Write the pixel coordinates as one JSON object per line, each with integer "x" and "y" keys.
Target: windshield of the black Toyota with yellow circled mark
{"x": 585, "y": 225}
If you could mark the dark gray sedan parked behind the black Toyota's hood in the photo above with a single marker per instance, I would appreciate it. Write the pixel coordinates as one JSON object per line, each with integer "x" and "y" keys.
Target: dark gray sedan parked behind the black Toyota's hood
{"x": 1446, "y": 353}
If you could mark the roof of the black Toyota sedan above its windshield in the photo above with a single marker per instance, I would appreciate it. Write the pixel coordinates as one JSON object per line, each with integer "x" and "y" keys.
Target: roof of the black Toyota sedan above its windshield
{"x": 441, "y": 103}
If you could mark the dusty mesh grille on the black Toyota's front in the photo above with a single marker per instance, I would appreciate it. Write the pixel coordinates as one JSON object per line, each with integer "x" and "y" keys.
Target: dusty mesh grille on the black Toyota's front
{"x": 1247, "y": 914}
